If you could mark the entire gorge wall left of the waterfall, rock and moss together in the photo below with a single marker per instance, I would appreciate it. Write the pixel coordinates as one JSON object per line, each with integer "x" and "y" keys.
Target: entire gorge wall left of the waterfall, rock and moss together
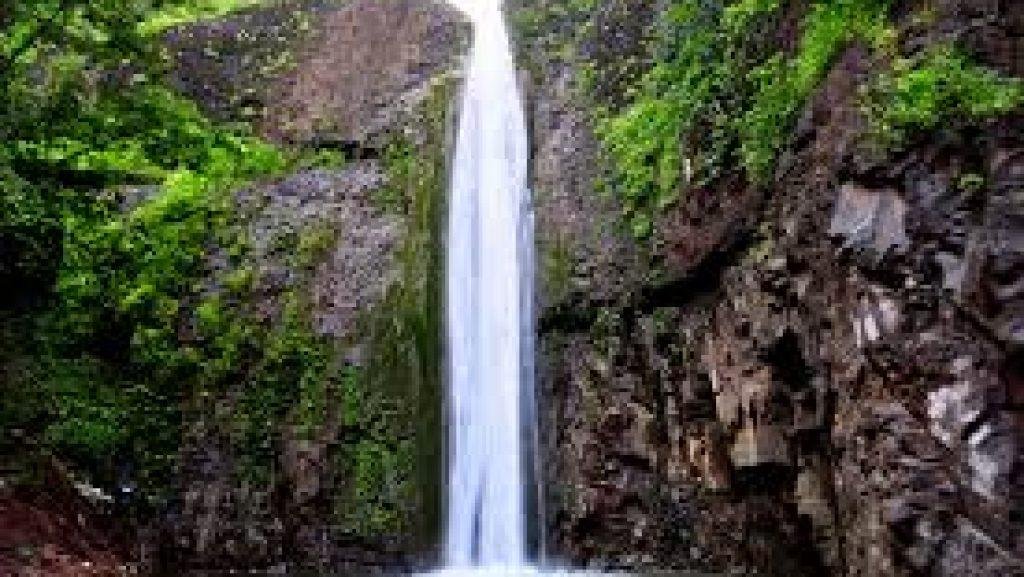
{"x": 310, "y": 435}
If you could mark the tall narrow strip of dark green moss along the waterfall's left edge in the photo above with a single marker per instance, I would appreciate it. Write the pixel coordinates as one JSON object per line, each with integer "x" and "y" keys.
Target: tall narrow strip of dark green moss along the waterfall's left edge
{"x": 393, "y": 475}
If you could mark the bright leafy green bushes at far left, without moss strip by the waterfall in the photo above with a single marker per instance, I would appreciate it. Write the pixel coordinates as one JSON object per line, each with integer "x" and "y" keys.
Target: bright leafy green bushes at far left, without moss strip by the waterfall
{"x": 116, "y": 197}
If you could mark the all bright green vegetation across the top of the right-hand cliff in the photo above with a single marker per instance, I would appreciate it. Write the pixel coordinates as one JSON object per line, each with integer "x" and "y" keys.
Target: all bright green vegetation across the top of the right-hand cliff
{"x": 716, "y": 97}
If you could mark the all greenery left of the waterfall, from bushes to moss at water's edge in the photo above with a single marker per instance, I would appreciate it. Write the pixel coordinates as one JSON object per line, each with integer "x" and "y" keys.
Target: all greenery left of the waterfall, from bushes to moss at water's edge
{"x": 140, "y": 323}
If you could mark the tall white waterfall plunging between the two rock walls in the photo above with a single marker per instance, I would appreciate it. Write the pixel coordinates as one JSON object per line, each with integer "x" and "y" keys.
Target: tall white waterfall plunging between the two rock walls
{"x": 490, "y": 295}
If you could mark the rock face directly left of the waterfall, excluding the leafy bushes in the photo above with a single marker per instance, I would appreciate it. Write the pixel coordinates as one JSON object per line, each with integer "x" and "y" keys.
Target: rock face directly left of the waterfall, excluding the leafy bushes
{"x": 358, "y": 246}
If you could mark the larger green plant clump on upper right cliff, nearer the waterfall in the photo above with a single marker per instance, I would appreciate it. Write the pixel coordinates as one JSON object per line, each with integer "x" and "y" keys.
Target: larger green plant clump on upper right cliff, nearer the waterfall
{"x": 716, "y": 99}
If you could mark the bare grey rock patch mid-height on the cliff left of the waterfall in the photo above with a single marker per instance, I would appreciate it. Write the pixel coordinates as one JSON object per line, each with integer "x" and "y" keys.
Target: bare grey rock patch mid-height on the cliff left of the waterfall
{"x": 336, "y": 209}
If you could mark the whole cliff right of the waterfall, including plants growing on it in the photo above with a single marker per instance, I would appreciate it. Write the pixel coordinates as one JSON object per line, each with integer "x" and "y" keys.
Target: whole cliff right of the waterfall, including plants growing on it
{"x": 804, "y": 366}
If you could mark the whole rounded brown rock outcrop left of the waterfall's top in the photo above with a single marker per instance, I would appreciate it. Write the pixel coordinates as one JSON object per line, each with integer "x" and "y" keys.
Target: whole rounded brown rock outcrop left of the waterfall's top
{"x": 330, "y": 74}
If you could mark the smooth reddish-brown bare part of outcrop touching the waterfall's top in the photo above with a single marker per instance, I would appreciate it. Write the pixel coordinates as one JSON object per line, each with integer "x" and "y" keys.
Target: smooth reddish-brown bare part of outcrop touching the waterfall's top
{"x": 372, "y": 63}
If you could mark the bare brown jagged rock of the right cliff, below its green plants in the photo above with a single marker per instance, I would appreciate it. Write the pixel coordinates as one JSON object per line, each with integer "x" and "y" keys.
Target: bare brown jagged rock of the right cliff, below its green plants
{"x": 829, "y": 380}
